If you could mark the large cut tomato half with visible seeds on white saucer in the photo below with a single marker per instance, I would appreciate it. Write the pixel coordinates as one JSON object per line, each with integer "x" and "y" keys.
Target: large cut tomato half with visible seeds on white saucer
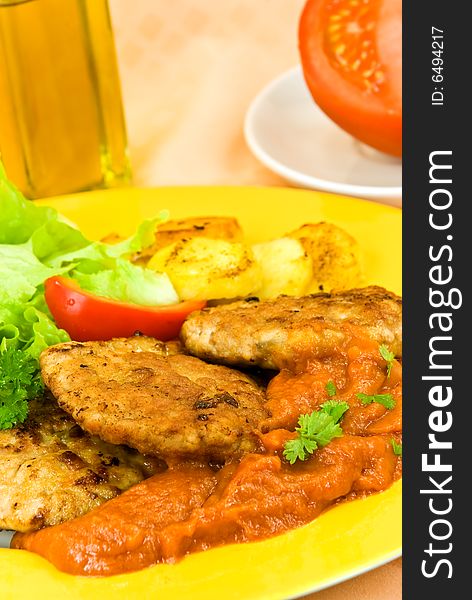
{"x": 351, "y": 56}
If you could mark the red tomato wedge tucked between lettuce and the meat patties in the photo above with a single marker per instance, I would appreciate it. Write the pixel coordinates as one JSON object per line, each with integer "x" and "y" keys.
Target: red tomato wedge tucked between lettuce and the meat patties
{"x": 88, "y": 317}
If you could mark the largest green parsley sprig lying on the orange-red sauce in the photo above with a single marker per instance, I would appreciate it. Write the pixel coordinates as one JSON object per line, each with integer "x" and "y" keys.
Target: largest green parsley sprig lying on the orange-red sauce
{"x": 315, "y": 430}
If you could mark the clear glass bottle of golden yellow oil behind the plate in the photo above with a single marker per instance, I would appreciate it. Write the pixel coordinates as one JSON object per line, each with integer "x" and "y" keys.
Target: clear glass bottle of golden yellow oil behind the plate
{"x": 61, "y": 117}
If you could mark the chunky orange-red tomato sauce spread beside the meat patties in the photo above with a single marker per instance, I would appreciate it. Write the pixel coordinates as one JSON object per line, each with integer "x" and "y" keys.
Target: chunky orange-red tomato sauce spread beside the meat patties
{"x": 192, "y": 507}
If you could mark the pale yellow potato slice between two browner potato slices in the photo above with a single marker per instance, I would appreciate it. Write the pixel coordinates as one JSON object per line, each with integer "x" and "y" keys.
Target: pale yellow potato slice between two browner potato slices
{"x": 286, "y": 267}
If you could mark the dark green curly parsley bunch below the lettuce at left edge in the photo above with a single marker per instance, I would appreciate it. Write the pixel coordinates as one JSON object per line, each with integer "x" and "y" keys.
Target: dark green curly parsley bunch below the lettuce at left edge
{"x": 19, "y": 382}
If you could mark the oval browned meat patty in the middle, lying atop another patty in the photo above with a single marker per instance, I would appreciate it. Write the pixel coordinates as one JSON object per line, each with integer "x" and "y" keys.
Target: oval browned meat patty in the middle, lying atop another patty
{"x": 139, "y": 392}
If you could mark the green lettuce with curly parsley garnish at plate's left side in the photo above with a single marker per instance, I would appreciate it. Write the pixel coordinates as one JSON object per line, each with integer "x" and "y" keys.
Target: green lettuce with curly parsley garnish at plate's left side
{"x": 36, "y": 242}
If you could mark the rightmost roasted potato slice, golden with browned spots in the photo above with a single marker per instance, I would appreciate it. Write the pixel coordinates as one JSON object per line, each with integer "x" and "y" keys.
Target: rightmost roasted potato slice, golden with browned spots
{"x": 335, "y": 256}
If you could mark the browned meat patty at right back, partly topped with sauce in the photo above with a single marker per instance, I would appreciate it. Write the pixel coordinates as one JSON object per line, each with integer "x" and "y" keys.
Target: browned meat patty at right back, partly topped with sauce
{"x": 271, "y": 334}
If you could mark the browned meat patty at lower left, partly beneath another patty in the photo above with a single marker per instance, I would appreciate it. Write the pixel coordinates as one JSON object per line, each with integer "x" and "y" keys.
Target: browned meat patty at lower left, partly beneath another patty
{"x": 52, "y": 471}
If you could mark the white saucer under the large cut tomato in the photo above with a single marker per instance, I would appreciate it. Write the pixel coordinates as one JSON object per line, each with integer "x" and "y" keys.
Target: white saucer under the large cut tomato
{"x": 290, "y": 135}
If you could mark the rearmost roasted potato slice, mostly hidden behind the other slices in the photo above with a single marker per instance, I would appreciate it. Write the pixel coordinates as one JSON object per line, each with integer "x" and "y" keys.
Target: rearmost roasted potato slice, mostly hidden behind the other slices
{"x": 217, "y": 228}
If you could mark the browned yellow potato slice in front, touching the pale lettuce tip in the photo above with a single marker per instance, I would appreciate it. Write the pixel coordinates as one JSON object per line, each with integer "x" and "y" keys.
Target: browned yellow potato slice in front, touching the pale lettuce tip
{"x": 204, "y": 269}
